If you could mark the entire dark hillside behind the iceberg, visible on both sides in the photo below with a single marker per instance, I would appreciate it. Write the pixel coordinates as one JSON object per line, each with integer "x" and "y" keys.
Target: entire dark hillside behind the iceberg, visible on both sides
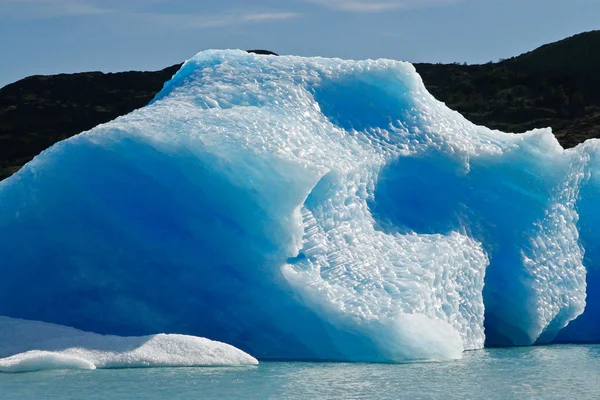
{"x": 556, "y": 85}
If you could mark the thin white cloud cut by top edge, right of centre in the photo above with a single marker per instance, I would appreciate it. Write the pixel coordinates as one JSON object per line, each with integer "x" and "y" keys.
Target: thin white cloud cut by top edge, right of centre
{"x": 366, "y": 6}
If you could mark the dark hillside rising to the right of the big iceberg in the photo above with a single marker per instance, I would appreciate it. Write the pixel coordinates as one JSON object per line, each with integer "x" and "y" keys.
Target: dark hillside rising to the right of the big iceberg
{"x": 556, "y": 85}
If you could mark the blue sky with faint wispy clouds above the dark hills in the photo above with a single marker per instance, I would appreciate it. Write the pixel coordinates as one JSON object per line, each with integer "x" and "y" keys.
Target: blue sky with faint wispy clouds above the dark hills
{"x": 54, "y": 36}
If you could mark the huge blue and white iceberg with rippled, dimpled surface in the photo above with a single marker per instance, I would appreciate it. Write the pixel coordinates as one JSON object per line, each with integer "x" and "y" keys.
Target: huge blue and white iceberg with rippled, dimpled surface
{"x": 305, "y": 209}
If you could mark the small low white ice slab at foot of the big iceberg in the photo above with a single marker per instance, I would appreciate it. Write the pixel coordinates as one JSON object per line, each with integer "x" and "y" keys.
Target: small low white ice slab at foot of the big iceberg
{"x": 33, "y": 346}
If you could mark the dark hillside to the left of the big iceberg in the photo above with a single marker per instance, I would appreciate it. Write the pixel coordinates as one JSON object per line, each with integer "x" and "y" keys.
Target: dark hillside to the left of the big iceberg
{"x": 39, "y": 111}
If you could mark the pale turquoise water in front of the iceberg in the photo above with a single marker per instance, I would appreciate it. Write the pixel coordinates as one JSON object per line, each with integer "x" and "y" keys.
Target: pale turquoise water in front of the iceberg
{"x": 553, "y": 372}
